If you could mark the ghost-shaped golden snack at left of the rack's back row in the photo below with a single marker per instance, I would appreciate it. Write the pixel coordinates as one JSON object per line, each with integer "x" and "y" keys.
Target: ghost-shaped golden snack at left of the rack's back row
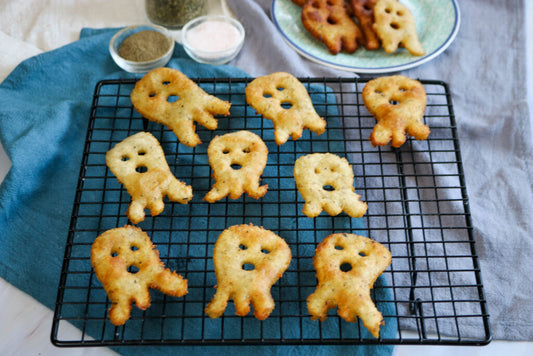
{"x": 167, "y": 96}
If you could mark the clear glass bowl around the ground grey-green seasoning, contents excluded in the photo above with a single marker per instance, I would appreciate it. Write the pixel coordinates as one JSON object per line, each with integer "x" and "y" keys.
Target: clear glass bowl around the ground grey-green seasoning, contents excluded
{"x": 139, "y": 67}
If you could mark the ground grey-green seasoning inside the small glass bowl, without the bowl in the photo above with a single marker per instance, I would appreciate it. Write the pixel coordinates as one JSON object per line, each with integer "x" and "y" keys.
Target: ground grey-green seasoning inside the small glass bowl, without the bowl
{"x": 143, "y": 46}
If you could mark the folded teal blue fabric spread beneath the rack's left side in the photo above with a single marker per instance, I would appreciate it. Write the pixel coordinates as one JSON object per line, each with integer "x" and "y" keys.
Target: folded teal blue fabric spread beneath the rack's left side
{"x": 44, "y": 108}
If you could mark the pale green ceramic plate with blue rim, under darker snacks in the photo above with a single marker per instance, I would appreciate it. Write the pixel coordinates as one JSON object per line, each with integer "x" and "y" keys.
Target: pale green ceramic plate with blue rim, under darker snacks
{"x": 437, "y": 23}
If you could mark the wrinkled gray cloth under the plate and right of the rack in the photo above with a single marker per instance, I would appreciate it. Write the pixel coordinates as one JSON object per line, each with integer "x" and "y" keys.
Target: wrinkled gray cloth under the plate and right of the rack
{"x": 485, "y": 70}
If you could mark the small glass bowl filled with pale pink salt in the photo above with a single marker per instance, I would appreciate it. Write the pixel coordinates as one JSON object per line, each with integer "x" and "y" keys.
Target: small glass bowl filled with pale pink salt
{"x": 213, "y": 39}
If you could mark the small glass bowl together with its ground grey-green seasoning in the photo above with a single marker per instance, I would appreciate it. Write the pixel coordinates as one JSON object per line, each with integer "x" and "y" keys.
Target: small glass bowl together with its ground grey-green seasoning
{"x": 141, "y": 48}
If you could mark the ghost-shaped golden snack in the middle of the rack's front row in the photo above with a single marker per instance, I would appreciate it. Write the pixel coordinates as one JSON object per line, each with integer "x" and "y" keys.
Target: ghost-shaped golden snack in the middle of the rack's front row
{"x": 248, "y": 261}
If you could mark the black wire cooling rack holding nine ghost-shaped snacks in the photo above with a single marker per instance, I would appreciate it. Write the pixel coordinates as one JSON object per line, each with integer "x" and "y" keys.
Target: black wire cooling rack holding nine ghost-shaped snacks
{"x": 432, "y": 292}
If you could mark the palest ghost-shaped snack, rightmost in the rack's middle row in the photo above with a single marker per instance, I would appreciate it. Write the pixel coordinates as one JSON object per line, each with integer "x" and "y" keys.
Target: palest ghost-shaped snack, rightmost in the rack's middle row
{"x": 325, "y": 181}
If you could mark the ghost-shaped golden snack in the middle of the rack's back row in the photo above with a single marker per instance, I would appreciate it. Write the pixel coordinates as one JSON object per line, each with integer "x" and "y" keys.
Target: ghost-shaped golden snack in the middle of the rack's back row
{"x": 282, "y": 98}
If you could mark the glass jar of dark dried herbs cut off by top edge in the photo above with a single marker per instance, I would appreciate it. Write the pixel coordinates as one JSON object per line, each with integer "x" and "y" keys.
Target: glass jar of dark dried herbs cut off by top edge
{"x": 174, "y": 13}
